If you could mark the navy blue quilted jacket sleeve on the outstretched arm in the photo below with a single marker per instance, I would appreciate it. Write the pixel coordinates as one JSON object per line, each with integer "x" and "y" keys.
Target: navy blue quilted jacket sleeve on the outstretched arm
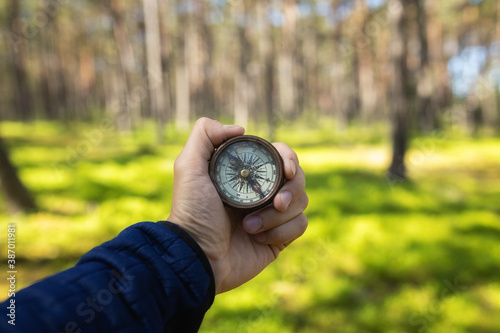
{"x": 153, "y": 277}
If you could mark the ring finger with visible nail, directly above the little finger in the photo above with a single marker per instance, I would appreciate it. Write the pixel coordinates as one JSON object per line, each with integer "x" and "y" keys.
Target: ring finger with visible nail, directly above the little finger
{"x": 269, "y": 218}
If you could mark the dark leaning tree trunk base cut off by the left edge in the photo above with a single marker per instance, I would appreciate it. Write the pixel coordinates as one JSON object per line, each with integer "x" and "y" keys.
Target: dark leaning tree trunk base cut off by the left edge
{"x": 16, "y": 194}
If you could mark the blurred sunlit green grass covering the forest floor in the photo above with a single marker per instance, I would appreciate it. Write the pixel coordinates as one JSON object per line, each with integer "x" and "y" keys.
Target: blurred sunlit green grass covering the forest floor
{"x": 378, "y": 256}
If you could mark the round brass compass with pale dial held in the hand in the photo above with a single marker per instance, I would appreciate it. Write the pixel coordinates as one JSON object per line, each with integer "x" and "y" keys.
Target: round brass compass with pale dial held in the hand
{"x": 247, "y": 172}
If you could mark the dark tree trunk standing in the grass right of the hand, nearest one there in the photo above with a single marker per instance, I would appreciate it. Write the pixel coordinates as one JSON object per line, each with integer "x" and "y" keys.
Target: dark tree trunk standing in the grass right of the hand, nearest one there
{"x": 399, "y": 91}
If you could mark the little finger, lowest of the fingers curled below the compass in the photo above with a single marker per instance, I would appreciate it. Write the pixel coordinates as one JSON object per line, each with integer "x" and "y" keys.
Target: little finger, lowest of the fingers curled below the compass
{"x": 285, "y": 233}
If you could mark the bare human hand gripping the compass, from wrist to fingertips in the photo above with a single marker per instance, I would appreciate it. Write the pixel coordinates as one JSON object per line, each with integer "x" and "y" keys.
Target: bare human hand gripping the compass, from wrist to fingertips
{"x": 238, "y": 247}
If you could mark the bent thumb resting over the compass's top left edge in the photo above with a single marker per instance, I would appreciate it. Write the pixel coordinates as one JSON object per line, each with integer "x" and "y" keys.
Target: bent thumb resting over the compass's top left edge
{"x": 206, "y": 135}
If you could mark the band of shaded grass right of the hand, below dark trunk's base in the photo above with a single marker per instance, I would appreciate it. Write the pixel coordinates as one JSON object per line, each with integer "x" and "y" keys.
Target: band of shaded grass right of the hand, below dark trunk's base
{"x": 363, "y": 192}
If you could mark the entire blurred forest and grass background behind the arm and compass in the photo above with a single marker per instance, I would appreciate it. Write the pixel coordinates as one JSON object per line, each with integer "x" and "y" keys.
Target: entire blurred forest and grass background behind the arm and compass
{"x": 393, "y": 107}
